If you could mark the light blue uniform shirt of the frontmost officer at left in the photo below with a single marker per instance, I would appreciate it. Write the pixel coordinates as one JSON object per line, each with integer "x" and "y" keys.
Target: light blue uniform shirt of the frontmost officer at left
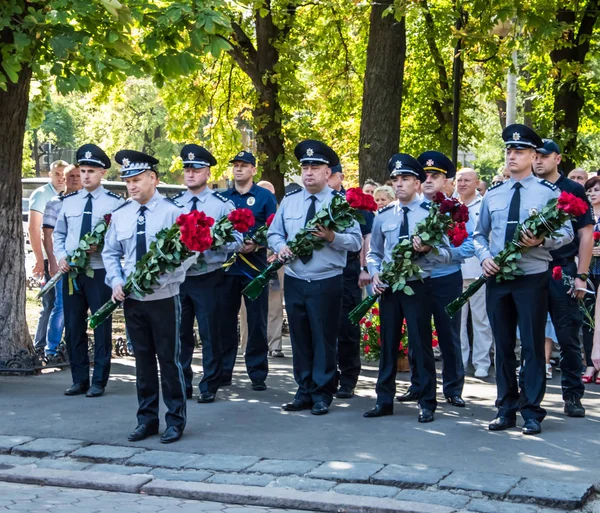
{"x": 121, "y": 241}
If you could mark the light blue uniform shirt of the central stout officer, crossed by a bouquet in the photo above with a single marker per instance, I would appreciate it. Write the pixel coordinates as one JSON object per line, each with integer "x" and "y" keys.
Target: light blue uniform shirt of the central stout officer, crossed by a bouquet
{"x": 290, "y": 218}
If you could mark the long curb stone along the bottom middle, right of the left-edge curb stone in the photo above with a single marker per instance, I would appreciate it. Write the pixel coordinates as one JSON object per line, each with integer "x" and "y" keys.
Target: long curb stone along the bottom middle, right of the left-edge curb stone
{"x": 288, "y": 499}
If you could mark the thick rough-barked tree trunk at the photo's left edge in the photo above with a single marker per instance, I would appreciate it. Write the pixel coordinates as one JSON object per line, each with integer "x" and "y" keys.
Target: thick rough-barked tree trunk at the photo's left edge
{"x": 14, "y": 336}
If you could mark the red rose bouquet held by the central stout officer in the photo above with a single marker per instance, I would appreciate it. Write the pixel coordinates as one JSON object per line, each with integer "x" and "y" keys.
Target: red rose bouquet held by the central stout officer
{"x": 338, "y": 215}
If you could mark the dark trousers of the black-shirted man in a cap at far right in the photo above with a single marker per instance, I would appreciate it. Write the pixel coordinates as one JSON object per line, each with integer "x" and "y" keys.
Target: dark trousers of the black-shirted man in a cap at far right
{"x": 567, "y": 319}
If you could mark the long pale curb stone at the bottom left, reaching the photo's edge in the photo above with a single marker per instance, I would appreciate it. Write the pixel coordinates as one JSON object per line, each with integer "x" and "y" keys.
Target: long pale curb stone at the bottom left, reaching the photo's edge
{"x": 75, "y": 479}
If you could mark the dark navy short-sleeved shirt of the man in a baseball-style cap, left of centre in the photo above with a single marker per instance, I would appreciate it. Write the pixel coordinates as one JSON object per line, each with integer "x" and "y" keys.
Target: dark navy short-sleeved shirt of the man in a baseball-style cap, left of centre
{"x": 262, "y": 203}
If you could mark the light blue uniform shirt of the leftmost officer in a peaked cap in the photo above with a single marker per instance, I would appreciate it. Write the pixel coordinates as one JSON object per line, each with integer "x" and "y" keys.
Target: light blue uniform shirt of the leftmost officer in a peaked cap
{"x": 68, "y": 224}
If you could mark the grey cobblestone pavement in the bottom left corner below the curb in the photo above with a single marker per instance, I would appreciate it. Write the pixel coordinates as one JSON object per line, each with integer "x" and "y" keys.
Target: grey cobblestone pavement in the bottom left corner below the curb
{"x": 33, "y": 499}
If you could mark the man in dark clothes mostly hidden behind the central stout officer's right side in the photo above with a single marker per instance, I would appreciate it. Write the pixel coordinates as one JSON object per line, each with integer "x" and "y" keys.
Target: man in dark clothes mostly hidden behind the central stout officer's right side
{"x": 348, "y": 358}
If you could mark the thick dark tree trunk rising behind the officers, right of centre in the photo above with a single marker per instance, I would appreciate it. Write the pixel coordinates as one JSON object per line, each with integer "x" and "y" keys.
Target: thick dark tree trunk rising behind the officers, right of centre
{"x": 382, "y": 95}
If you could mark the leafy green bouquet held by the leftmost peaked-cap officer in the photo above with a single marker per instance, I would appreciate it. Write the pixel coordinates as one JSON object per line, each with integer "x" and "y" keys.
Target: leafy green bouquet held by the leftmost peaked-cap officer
{"x": 79, "y": 261}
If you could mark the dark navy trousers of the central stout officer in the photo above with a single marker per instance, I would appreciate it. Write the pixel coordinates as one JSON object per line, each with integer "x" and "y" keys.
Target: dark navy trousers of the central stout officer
{"x": 313, "y": 309}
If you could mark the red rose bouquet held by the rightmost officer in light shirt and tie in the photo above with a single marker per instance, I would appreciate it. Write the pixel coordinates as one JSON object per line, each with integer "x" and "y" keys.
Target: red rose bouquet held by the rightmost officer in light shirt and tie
{"x": 541, "y": 224}
